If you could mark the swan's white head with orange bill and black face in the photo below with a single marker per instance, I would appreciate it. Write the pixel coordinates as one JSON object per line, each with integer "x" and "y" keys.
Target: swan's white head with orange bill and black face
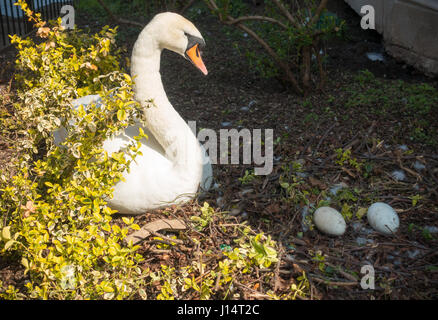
{"x": 174, "y": 32}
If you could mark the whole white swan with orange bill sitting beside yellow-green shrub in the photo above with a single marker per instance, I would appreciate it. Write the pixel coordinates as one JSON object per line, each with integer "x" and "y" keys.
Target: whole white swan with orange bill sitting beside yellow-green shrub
{"x": 173, "y": 164}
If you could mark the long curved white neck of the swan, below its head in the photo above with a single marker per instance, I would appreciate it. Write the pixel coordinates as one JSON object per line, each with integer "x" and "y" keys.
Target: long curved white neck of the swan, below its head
{"x": 167, "y": 126}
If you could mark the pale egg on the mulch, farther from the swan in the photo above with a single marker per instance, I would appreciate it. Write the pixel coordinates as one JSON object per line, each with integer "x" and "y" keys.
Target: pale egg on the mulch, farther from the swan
{"x": 383, "y": 218}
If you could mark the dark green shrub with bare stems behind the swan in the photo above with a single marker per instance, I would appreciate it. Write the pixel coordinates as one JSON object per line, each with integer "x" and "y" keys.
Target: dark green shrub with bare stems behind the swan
{"x": 291, "y": 34}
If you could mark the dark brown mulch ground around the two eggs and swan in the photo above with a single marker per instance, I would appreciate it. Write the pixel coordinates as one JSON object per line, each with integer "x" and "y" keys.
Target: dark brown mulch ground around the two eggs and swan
{"x": 309, "y": 130}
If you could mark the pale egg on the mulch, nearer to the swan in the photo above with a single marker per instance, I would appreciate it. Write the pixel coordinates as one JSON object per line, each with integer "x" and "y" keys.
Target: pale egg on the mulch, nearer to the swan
{"x": 329, "y": 221}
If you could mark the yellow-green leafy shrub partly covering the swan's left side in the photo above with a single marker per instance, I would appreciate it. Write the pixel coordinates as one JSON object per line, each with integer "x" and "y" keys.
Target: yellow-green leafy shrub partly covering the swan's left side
{"x": 53, "y": 213}
